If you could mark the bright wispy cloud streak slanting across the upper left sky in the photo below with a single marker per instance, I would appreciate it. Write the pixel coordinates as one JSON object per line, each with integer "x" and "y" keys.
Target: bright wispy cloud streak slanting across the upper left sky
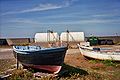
{"x": 42, "y": 7}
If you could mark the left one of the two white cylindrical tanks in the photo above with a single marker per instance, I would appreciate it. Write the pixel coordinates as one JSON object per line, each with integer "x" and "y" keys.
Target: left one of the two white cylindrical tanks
{"x": 45, "y": 37}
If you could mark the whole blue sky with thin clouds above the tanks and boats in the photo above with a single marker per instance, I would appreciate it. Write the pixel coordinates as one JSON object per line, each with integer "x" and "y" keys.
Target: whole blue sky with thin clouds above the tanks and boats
{"x": 23, "y": 18}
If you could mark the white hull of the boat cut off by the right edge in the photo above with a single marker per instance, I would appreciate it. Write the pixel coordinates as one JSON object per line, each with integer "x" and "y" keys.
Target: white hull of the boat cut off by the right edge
{"x": 100, "y": 55}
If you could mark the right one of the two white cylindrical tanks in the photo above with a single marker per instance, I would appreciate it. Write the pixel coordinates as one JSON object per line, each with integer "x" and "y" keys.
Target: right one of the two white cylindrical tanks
{"x": 72, "y": 36}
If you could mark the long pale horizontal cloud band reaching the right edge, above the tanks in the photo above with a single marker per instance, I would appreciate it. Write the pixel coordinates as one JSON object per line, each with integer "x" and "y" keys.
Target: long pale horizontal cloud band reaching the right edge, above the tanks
{"x": 85, "y": 21}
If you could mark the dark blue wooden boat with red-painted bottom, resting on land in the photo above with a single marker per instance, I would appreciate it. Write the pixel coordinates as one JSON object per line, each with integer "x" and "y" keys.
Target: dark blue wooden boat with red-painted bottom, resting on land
{"x": 49, "y": 59}
